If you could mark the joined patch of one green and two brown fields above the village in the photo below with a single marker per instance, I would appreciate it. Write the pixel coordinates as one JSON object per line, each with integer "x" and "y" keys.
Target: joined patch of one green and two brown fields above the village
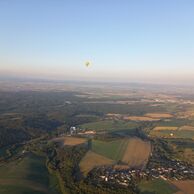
{"x": 133, "y": 152}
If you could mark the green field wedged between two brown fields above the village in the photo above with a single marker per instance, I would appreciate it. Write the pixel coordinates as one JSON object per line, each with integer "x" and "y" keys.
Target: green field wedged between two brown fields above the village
{"x": 113, "y": 150}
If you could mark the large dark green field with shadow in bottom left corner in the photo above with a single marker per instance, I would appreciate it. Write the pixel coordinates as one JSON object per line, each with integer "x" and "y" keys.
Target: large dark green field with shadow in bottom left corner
{"x": 26, "y": 176}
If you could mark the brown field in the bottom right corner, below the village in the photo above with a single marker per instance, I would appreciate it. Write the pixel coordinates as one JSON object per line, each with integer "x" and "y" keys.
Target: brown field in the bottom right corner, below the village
{"x": 185, "y": 186}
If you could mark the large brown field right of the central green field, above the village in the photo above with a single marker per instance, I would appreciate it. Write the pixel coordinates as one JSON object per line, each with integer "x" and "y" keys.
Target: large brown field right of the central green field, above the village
{"x": 137, "y": 152}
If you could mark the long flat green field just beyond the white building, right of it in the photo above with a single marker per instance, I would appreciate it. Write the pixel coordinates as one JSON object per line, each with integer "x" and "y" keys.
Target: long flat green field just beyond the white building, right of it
{"x": 109, "y": 125}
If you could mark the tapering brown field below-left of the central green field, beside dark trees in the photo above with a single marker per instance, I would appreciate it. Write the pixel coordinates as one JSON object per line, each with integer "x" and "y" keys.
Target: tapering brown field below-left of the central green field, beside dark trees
{"x": 92, "y": 160}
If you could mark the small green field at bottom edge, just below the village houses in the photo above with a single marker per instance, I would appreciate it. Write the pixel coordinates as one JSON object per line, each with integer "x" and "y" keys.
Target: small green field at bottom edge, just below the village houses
{"x": 157, "y": 186}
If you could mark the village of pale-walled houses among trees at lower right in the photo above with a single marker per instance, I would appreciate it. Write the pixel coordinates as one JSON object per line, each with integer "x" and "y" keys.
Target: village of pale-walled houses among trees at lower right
{"x": 179, "y": 171}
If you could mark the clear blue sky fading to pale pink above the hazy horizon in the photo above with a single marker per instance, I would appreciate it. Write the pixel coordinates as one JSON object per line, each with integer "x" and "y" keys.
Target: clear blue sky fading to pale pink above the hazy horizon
{"x": 126, "y": 40}
